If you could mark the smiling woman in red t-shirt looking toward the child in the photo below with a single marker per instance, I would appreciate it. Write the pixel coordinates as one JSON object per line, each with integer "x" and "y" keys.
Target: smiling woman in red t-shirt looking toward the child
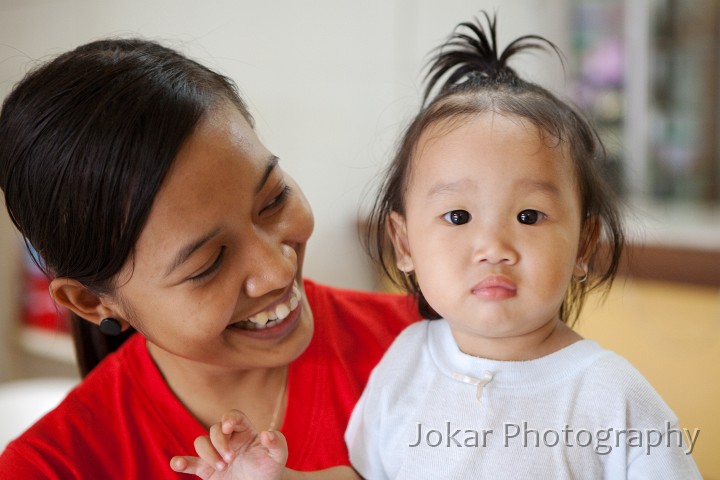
{"x": 177, "y": 241}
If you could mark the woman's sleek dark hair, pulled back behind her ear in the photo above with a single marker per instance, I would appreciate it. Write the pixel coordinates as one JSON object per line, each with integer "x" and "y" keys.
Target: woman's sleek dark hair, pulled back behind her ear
{"x": 85, "y": 143}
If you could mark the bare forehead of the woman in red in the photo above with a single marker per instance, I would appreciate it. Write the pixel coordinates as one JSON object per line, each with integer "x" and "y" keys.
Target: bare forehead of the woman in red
{"x": 215, "y": 174}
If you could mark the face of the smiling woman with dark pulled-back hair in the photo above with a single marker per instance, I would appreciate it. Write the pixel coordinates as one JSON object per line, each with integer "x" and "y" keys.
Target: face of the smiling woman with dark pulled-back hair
{"x": 247, "y": 234}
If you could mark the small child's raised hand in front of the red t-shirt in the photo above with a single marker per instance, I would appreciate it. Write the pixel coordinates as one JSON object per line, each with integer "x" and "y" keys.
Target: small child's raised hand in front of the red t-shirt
{"x": 234, "y": 450}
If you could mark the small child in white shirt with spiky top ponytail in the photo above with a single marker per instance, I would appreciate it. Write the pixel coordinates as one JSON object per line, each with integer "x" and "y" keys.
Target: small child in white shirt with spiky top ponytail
{"x": 500, "y": 223}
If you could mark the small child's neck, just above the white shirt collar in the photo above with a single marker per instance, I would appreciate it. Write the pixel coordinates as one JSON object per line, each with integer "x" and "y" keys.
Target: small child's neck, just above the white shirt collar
{"x": 549, "y": 339}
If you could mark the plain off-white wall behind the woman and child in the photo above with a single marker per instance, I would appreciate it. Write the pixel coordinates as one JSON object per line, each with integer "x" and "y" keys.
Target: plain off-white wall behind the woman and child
{"x": 329, "y": 82}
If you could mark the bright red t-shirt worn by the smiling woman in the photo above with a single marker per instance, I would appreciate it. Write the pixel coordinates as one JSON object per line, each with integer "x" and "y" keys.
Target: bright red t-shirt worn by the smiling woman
{"x": 123, "y": 421}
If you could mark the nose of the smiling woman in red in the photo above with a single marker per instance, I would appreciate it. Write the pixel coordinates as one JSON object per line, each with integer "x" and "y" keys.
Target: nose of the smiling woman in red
{"x": 272, "y": 266}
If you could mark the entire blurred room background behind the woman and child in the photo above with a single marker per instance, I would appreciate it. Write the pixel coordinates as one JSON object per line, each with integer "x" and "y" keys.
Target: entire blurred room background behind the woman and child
{"x": 332, "y": 83}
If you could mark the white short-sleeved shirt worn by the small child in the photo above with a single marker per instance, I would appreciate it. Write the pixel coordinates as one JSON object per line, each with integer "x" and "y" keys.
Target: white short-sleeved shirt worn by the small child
{"x": 431, "y": 411}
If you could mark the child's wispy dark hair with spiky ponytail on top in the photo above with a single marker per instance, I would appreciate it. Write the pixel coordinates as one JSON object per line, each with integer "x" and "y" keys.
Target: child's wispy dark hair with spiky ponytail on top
{"x": 479, "y": 81}
